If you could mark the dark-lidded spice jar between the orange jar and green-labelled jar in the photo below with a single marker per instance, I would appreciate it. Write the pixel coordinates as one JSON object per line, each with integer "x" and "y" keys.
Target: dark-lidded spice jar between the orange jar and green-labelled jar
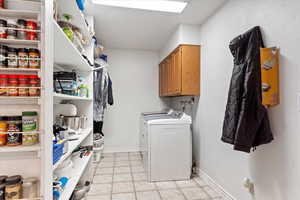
{"x": 14, "y": 135}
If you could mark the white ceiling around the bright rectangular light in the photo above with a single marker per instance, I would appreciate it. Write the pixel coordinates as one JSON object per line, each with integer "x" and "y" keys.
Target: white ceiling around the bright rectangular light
{"x": 148, "y": 30}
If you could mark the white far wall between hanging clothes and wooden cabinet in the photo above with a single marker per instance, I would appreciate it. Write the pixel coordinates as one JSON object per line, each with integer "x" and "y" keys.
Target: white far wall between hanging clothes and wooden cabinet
{"x": 135, "y": 87}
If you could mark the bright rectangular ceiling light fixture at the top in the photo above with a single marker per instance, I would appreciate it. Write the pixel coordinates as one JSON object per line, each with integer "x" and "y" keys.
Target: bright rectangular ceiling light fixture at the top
{"x": 154, "y": 5}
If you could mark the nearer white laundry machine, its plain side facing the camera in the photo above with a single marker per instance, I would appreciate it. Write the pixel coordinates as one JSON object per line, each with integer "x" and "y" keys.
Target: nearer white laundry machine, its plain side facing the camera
{"x": 167, "y": 147}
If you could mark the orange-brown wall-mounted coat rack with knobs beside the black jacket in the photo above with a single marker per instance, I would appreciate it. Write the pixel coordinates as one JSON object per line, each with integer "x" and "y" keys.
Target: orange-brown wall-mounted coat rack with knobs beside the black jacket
{"x": 270, "y": 76}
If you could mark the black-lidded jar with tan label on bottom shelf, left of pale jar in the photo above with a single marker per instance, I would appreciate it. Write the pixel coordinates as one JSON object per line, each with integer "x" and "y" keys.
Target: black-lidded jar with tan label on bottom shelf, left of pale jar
{"x": 13, "y": 187}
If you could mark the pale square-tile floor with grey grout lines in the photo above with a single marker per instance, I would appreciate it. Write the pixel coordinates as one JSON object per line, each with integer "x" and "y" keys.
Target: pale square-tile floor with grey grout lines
{"x": 121, "y": 176}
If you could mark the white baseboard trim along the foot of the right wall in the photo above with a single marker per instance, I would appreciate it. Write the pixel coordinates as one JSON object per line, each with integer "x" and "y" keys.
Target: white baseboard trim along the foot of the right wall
{"x": 214, "y": 184}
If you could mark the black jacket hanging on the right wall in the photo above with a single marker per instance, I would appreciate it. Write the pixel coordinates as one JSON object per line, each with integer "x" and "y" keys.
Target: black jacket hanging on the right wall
{"x": 246, "y": 122}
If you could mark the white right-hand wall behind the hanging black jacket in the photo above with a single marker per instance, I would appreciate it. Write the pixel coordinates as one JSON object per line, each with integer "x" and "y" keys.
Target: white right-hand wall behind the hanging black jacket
{"x": 274, "y": 168}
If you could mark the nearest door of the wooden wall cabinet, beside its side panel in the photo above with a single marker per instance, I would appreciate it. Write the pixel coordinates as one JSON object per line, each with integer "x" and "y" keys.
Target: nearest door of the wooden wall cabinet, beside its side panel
{"x": 176, "y": 57}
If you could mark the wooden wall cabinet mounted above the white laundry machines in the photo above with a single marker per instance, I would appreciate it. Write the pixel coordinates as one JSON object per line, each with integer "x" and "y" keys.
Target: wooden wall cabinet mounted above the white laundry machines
{"x": 179, "y": 73}
